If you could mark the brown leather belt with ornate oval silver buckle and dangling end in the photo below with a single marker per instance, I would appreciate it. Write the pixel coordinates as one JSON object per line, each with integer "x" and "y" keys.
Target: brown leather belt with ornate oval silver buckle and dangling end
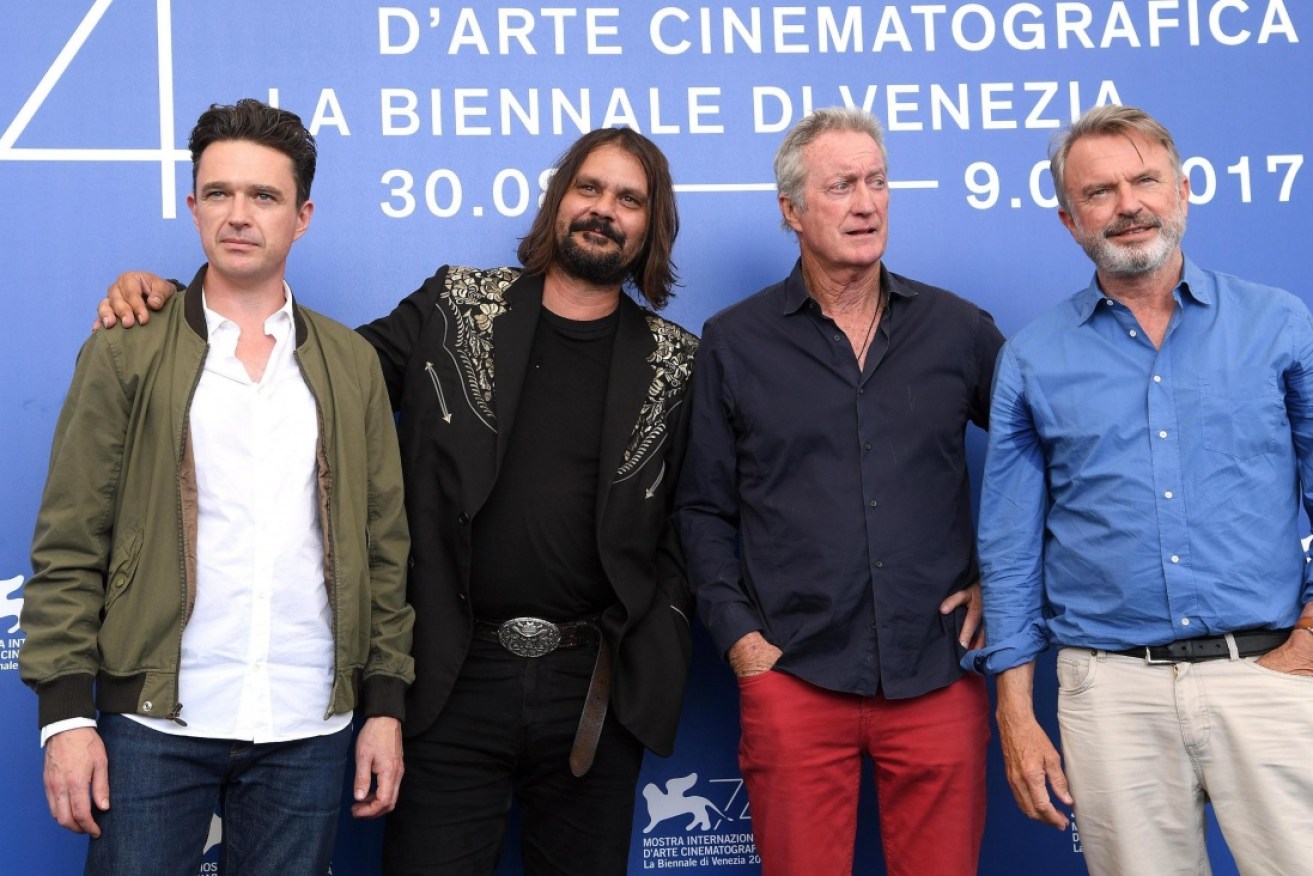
{"x": 536, "y": 638}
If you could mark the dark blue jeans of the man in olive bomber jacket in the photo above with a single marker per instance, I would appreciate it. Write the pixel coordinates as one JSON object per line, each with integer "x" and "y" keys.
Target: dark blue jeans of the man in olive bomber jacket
{"x": 279, "y": 803}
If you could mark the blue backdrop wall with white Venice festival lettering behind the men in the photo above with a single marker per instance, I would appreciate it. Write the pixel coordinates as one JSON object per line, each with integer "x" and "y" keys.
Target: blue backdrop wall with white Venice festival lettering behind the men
{"x": 437, "y": 124}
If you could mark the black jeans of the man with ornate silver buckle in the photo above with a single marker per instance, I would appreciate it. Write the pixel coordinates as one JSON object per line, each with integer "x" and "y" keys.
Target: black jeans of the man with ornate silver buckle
{"x": 507, "y": 730}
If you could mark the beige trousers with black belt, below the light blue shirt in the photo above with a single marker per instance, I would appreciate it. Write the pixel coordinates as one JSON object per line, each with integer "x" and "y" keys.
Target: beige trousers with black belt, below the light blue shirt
{"x": 1147, "y": 745}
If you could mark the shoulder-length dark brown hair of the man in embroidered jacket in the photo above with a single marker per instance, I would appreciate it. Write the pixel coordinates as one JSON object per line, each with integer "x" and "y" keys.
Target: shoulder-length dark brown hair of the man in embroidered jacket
{"x": 653, "y": 273}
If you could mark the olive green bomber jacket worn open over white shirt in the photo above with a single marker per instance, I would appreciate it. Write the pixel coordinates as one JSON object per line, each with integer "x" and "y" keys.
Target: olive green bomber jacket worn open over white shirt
{"x": 115, "y": 550}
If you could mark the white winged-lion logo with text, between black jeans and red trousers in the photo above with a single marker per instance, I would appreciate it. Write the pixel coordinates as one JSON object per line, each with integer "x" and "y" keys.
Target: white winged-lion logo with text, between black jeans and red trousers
{"x": 697, "y": 827}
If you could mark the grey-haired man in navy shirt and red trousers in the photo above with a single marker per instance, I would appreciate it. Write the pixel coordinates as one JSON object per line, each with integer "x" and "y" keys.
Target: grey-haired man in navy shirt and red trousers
{"x": 825, "y": 512}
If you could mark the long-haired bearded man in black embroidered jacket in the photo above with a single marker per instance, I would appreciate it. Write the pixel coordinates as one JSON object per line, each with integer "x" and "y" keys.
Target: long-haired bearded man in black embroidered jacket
{"x": 543, "y": 427}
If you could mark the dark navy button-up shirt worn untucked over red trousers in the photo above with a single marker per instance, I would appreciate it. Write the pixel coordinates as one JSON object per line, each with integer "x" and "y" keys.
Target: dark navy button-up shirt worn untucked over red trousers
{"x": 829, "y": 508}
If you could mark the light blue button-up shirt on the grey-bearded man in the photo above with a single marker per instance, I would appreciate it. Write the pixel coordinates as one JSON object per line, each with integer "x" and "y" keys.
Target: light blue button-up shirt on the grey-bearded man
{"x": 1136, "y": 496}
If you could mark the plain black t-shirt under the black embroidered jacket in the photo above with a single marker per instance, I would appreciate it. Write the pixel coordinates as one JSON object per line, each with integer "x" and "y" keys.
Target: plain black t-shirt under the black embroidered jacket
{"x": 535, "y": 543}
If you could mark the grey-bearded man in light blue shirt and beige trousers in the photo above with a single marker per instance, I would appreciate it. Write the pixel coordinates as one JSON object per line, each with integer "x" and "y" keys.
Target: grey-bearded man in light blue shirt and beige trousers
{"x": 1151, "y": 447}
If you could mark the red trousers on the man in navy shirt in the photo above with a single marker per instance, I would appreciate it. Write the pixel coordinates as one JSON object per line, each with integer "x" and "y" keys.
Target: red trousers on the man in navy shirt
{"x": 802, "y": 753}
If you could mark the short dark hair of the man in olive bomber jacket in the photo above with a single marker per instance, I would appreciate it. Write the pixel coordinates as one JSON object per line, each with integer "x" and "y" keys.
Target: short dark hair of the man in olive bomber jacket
{"x": 258, "y": 123}
